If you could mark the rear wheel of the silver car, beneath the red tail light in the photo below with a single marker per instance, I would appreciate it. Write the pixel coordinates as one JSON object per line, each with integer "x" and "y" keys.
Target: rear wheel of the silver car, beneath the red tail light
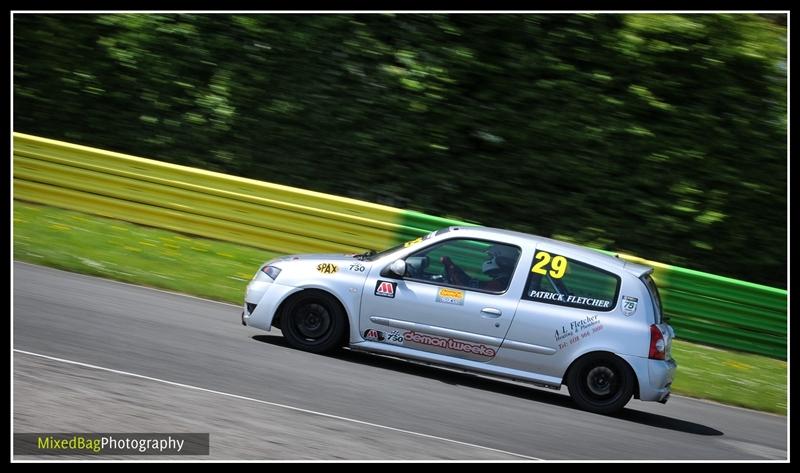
{"x": 601, "y": 383}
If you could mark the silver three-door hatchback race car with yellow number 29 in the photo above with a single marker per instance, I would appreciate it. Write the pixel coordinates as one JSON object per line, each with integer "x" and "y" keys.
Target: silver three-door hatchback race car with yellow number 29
{"x": 484, "y": 300}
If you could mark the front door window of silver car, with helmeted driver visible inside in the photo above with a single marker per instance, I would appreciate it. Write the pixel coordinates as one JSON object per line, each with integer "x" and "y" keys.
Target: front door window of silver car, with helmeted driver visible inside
{"x": 475, "y": 264}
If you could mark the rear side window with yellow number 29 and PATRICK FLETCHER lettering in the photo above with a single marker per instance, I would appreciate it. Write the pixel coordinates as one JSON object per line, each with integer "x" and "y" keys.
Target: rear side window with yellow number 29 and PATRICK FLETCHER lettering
{"x": 556, "y": 279}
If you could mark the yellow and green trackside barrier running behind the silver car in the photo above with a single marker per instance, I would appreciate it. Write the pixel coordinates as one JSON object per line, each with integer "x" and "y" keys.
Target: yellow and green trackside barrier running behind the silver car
{"x": 703, "y": 308}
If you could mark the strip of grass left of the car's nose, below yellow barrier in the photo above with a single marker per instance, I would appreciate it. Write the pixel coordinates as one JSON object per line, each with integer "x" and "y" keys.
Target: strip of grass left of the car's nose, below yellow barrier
{"x": 132, "y": 253}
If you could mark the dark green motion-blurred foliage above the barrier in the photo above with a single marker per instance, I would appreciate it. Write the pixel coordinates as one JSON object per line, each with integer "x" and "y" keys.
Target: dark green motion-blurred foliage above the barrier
{"x": 653, "y": 134}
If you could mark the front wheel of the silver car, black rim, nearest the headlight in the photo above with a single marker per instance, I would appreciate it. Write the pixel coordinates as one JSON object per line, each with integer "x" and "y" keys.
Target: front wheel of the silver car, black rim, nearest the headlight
{"x": 313, "y": 321}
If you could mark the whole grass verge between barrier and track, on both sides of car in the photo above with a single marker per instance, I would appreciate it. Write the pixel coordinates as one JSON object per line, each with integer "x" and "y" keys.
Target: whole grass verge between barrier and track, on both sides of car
{"x": 216, "y": 270}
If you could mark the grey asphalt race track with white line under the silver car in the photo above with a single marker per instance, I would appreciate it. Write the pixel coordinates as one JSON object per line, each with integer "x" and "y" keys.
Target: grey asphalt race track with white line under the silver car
{"x": 93, "y": 355}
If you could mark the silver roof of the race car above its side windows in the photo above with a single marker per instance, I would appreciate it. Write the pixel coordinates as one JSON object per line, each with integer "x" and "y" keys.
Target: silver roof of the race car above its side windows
{"x": 588, "y": 255}
